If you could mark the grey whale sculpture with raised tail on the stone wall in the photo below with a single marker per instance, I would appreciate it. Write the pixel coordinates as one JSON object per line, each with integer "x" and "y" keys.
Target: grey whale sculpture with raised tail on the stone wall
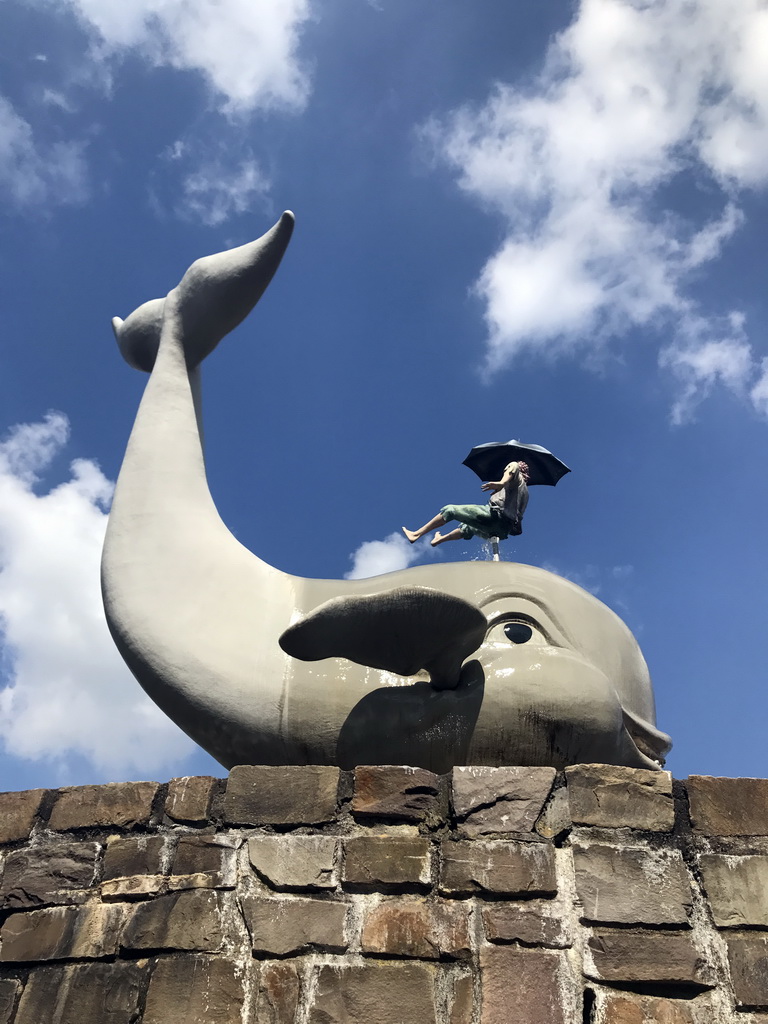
{"x": 415, "y": 667}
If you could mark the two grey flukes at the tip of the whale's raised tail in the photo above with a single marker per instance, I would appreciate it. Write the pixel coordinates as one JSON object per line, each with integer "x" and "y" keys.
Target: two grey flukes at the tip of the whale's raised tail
{"x": 215, "y": 296}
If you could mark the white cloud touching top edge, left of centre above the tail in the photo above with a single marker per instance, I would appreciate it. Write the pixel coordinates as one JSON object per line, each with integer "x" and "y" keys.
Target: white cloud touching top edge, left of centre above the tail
{"x": 247, "y": 52}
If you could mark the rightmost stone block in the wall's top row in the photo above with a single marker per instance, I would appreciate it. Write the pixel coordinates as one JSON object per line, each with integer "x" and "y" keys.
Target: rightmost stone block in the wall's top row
{"x": 729, "y": 806}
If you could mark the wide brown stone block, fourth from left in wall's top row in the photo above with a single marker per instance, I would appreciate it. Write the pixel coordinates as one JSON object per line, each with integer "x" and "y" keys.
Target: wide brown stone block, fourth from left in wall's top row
{"x": 292, "y": 795}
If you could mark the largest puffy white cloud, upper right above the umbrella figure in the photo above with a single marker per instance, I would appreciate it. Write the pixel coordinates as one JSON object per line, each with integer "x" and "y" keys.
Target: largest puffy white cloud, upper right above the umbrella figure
{"x": 633, "y": 97}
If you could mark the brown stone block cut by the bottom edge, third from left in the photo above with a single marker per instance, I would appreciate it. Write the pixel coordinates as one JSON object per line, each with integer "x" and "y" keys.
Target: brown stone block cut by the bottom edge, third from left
{"x": 195, "y": 991}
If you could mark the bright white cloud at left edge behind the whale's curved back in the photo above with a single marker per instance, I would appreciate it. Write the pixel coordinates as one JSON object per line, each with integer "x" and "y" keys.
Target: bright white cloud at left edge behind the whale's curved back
{"x": 66, "y": 690}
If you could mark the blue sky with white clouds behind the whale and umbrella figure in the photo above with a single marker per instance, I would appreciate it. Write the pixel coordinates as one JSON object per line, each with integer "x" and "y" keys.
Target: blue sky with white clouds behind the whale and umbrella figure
{"x": 543, "y": 222}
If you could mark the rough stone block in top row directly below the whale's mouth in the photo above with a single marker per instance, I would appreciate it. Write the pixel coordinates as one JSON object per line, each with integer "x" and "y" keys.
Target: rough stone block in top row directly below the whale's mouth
{"x": 613, "y": 797}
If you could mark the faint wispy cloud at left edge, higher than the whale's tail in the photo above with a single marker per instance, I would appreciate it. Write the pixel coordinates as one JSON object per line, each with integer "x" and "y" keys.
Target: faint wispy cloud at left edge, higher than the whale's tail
{"x": 35, "y": 174}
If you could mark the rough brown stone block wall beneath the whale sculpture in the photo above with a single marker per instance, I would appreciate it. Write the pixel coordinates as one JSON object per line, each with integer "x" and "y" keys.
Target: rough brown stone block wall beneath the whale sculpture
{"x": 305, "y": 895}
